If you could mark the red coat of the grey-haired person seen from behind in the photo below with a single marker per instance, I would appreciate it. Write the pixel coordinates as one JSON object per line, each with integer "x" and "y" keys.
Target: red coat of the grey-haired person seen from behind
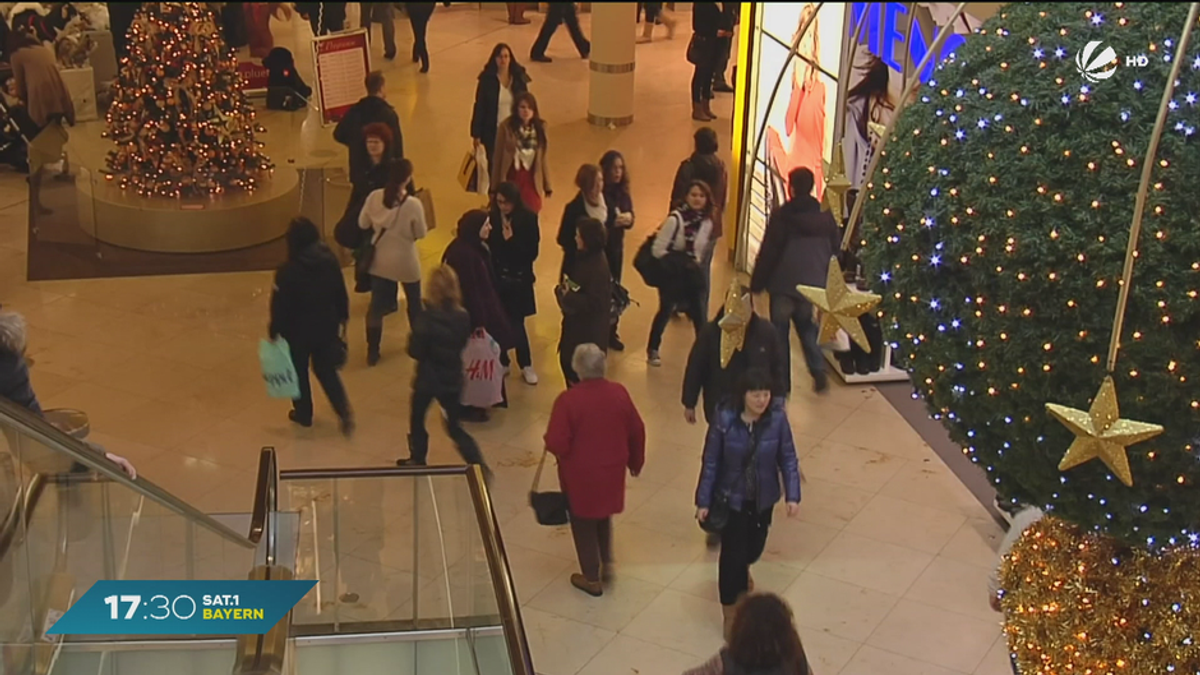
{"x": 597, "y": 435}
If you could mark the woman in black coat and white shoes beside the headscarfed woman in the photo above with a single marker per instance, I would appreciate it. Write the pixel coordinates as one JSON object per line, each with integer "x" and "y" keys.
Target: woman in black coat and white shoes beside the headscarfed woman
{"x": 514, "y": 241}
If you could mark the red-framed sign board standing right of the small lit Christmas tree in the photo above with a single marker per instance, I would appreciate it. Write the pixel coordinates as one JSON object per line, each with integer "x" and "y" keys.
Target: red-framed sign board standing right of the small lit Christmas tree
{"x": 343, "y": 63}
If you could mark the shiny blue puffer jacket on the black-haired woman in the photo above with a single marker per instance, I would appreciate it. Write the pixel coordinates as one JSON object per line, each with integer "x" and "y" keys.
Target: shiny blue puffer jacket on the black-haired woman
{"x": 725, "y": 456}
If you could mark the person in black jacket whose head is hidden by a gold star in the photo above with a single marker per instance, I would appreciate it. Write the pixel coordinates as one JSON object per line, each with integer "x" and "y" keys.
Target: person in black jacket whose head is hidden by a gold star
{"x": 758, "y": 348}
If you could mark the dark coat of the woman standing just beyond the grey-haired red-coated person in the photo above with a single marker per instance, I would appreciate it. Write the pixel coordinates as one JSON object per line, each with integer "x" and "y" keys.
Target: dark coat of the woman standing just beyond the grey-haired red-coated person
{"x": 587, "y": 313}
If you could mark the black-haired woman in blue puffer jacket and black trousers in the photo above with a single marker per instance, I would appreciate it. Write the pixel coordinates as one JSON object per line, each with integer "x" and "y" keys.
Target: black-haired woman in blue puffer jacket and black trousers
{"x": 748, "y": 451}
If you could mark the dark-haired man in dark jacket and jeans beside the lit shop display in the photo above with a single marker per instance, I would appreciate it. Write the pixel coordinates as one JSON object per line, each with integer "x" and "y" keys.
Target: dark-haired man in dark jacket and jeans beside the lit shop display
{"x": 796, "y": 249}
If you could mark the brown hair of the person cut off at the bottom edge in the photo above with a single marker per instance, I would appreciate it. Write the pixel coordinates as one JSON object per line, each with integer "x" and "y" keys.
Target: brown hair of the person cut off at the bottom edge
{"x": 764, "y": 637}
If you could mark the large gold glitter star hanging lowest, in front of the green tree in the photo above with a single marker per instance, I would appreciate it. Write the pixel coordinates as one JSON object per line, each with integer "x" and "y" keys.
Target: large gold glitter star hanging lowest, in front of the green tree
{"x": 1101, "y": 433}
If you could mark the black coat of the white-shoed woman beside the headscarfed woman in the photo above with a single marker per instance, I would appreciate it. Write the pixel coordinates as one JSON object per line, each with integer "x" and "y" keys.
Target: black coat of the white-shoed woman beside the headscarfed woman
{"x": 513, "y": 260}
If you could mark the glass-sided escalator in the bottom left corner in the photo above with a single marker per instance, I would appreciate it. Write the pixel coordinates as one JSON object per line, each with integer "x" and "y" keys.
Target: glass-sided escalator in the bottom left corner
{"x": 410, "y": 566}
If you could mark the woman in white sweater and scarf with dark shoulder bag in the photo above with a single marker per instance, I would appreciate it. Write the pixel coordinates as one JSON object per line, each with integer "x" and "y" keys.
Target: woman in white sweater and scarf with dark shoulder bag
{"x": 681, "y": 244}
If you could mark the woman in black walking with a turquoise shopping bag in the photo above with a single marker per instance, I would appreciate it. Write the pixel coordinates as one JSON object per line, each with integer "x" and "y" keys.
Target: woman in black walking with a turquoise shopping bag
{"x": 310, "y": 309}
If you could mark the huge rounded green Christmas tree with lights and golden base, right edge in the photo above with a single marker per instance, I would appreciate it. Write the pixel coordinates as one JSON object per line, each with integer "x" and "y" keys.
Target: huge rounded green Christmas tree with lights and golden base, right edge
{"x": 1049, "y": 313}
